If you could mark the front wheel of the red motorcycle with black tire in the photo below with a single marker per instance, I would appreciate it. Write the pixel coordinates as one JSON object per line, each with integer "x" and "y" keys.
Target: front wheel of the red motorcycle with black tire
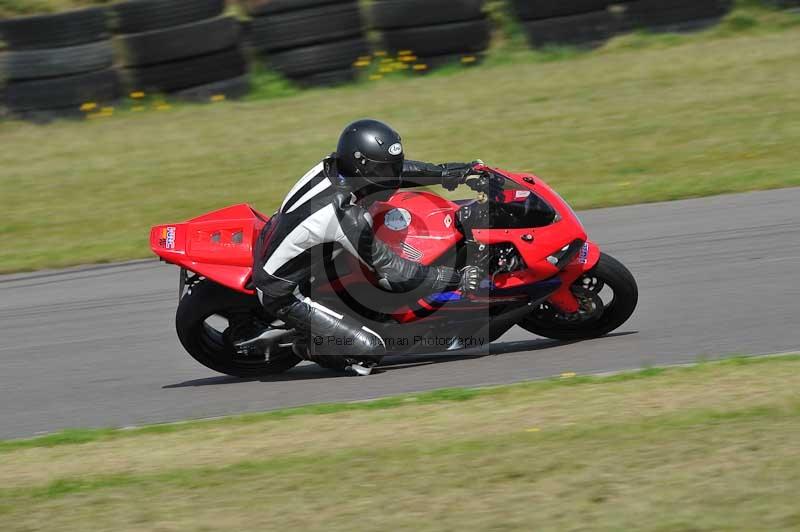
{"x": 547, "y": 322}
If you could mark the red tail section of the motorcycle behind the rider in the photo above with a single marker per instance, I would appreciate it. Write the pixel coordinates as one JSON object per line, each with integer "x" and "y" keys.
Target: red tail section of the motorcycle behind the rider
{"x": 217, "y": 245}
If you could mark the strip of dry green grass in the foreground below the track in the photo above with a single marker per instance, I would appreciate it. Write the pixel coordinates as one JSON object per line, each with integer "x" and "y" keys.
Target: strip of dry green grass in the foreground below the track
{"x": 706, "y": 447}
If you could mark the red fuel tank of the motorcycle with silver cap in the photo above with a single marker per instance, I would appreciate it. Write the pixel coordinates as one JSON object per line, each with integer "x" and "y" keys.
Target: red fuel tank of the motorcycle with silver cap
{"x": 418, "y": 226}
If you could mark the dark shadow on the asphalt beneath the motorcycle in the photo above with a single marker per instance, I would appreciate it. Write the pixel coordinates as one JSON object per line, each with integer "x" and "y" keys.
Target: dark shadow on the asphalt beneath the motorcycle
{"x": 391, "y": 363}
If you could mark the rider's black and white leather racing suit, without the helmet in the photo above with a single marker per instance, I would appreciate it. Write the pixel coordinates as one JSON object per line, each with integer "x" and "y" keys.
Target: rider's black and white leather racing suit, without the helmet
{"x": 321, "y": 209}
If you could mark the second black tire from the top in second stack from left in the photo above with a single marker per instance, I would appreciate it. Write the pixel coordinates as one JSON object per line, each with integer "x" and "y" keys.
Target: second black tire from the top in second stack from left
{"x": 179, "y": 42}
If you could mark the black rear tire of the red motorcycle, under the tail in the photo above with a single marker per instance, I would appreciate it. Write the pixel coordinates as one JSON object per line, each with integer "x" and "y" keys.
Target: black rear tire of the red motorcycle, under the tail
{"x": 211, "y": 347}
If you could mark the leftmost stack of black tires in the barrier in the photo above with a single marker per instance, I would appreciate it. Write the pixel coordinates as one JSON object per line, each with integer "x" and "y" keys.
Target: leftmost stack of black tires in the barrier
{"x": 53, "y": 64}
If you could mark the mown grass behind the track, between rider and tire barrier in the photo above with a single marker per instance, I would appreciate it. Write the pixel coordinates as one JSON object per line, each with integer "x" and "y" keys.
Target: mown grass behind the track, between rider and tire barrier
{"x": 646, "y": 118}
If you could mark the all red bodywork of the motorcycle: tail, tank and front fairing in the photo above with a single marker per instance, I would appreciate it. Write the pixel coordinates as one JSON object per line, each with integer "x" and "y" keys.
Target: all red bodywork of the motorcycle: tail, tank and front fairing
{"x": 219, "y": 245}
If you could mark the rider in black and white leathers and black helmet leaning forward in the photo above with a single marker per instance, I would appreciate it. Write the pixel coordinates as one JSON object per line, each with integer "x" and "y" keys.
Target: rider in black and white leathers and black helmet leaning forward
{"x": 329, "y": 205}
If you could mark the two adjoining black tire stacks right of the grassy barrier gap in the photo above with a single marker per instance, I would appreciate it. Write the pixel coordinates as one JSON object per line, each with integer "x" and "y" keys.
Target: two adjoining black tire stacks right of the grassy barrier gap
{"x": 592, "y": 22}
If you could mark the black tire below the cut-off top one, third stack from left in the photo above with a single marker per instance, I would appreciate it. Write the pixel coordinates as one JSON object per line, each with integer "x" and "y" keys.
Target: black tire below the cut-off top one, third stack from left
{"x": 307, "y": 27}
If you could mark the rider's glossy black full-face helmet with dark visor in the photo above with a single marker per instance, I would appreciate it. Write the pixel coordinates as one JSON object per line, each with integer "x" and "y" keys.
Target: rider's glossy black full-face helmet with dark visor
{"x": 371, "y": 153}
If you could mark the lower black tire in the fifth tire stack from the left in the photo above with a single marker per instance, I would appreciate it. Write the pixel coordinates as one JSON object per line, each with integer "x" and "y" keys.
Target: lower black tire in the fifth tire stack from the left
{"x": 587, "y": 29}
